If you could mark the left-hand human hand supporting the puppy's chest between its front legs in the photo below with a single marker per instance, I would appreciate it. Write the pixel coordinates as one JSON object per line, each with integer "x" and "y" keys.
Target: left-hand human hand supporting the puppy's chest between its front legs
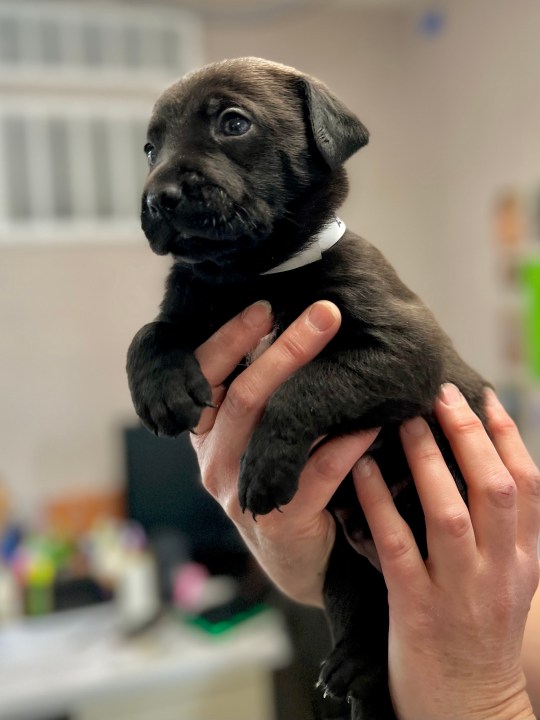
{"x": 293, "y": 544}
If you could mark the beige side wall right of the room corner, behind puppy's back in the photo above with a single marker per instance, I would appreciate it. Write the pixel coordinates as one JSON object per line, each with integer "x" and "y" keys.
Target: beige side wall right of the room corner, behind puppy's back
{"x": 477, "y": 95}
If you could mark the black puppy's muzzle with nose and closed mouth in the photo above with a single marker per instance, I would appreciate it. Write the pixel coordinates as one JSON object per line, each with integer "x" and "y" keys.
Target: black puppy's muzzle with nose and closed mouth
{"x": 198, "y": 224}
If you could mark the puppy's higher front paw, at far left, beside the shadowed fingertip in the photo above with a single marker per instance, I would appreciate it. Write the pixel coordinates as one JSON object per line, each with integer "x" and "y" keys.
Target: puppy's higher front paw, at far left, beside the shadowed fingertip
{"x": 170, "y": 400}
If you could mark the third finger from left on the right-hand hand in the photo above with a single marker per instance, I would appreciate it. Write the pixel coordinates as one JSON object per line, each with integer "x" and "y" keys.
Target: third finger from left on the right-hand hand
{"x": 491, "y": 488}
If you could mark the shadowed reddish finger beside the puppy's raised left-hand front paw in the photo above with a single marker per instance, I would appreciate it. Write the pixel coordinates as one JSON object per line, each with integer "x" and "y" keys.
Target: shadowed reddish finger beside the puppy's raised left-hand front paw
{"x": 224, "y": 350}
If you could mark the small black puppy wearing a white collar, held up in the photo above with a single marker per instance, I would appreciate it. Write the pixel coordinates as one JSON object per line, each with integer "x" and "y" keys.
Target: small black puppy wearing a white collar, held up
{"x": 246, "y": 175}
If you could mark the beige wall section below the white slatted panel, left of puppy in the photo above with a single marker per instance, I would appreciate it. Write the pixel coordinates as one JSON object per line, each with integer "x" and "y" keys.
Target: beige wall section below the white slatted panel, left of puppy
{"x": 66, "y": 318}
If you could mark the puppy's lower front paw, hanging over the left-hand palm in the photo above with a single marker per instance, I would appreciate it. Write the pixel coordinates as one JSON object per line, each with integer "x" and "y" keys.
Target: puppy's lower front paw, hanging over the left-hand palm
{"x": 269, "y": 473}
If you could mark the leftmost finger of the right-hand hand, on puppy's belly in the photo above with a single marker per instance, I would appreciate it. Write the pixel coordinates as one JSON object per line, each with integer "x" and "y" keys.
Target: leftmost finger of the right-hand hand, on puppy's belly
{"x": 400, "y": 558}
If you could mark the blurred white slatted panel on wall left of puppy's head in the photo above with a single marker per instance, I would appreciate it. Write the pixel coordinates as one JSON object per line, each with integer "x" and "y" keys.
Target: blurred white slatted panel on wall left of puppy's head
{"x": 78, "y": 87}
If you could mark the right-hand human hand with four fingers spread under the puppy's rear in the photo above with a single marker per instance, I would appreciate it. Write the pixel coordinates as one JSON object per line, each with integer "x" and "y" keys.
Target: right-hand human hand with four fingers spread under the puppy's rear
{"x": 457, "y": 619}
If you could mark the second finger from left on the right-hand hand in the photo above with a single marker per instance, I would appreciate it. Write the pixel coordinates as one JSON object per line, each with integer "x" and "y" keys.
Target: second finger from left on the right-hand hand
{"x": 450, "y": 535}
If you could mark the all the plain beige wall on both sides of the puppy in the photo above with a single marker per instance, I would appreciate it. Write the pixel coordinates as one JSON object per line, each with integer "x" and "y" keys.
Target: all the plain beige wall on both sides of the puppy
{"x": 453, "y": 118}
